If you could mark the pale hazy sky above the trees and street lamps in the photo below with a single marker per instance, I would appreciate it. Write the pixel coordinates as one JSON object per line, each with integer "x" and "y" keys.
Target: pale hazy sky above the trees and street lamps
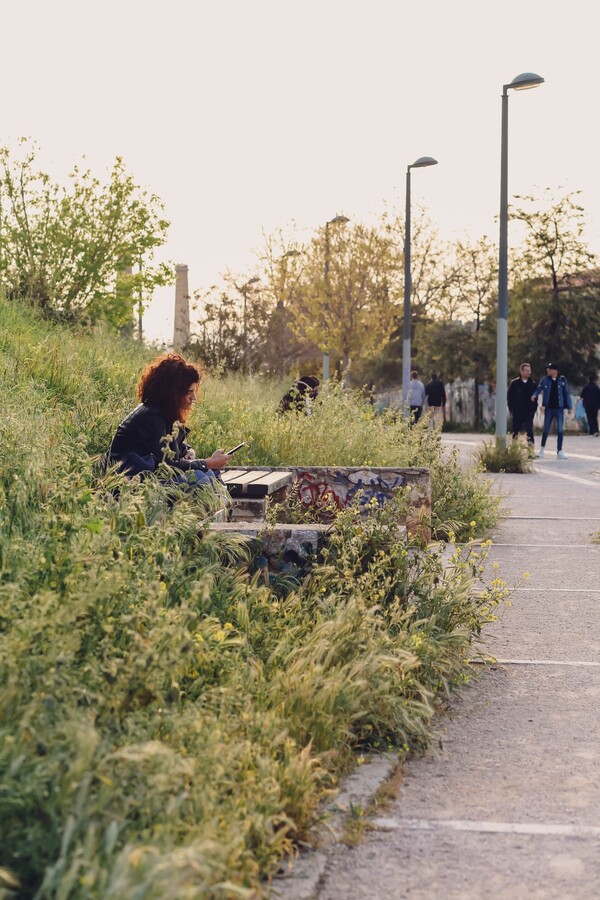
{"x": 244, "y": 115}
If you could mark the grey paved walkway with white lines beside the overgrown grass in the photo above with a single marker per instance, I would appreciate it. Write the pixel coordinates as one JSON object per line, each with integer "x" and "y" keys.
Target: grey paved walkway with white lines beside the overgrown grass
{"x": 509, "y": 805}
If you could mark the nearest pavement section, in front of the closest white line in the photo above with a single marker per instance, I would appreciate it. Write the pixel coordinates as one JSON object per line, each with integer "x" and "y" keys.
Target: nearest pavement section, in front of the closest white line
{"x": 447, "y": 865}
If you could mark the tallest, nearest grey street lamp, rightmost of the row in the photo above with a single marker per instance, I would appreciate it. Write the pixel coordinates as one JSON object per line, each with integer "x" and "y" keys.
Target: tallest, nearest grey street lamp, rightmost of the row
{"x": 523, "y": 82}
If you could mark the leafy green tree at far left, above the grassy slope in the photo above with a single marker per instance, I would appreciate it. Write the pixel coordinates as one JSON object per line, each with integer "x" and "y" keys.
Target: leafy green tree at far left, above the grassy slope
{"x": 67, "y": 249}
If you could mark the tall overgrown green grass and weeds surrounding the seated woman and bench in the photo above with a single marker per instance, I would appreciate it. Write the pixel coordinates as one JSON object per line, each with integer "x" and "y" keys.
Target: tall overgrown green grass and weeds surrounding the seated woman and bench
{"x": 168, "y": 722}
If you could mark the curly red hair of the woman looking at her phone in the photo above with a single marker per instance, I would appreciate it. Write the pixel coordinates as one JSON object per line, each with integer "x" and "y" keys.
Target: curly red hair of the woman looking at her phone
{"x": 165, "y": 382}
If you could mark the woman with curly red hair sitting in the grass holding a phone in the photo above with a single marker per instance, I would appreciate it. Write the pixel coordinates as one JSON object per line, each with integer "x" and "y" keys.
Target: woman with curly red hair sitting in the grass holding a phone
{"x": 155, "y": 431}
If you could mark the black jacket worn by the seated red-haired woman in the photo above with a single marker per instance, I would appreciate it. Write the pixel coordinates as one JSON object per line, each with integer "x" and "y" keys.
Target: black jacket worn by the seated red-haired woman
{"x": 144, "y": 432}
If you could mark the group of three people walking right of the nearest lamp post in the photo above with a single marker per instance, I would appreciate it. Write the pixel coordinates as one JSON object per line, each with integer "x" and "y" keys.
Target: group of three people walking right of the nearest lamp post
{"x": 523, "y": 393}
